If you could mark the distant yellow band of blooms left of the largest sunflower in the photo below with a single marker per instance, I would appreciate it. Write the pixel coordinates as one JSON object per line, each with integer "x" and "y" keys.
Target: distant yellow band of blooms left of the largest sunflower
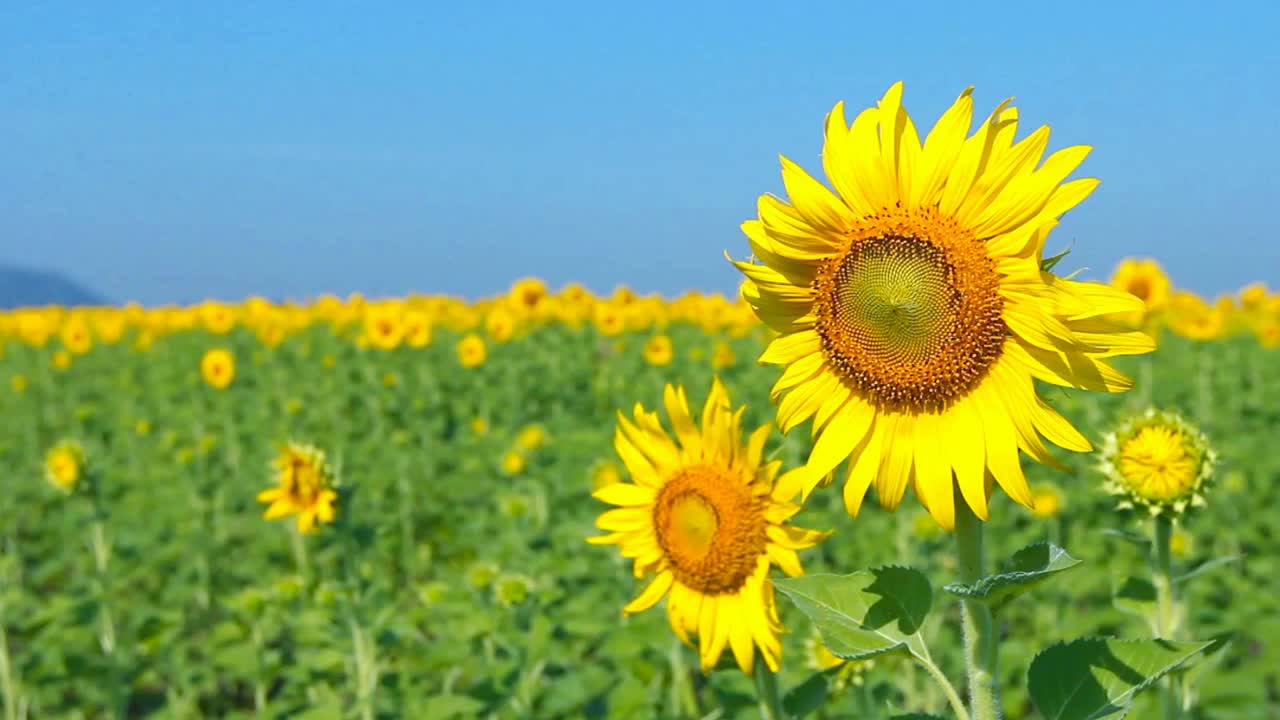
{"x": 380, "y": 325}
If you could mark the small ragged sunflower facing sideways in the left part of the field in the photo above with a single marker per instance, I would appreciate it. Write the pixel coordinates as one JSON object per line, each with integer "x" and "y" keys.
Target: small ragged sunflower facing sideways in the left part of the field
{"x": 305, "y": 487}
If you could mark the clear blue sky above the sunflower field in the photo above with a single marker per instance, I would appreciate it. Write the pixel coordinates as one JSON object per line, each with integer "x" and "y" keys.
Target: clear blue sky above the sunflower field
{"x": 167, "y": 153}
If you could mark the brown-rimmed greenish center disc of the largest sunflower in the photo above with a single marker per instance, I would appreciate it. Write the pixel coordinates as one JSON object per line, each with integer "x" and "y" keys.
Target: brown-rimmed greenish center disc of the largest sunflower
{"x": 911, "y": 313}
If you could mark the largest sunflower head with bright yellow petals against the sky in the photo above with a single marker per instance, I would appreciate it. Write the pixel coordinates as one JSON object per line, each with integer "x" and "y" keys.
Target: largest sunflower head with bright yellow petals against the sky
{"x": 913, "y": 311}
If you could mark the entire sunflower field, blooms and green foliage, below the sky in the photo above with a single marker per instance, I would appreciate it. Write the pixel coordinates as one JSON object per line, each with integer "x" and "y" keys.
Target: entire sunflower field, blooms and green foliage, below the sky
{"x": 554, "y": 504}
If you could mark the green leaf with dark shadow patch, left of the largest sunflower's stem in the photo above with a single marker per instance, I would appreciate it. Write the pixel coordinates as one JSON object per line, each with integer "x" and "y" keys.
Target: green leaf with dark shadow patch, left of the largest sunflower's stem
{"x": 867, "y": 613}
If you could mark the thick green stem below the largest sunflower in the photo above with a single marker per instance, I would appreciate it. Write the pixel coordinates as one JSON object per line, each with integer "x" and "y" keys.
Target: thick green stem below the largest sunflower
{"x": 980, "y": 628}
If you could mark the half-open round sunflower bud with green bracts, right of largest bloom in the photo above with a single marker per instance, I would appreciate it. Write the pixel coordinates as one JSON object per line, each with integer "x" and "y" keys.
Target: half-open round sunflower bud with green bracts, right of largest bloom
{"x": 1158, "y": 461}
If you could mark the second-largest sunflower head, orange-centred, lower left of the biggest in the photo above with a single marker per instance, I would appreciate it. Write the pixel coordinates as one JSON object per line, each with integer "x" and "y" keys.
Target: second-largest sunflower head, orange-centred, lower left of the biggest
{"x": 706, "y": 516}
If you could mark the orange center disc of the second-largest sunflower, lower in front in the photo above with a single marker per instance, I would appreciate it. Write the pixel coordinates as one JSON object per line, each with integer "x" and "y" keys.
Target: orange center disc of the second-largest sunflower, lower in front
{"x": 711, "y": 528}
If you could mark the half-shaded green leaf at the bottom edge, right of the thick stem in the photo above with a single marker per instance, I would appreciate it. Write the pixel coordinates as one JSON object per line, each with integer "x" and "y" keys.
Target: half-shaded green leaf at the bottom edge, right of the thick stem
{"x": 1095, "y": 678}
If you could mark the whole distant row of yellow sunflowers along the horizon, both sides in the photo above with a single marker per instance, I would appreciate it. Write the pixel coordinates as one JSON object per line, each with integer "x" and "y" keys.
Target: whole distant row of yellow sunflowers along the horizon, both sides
{"x": 387, "y": 325}
